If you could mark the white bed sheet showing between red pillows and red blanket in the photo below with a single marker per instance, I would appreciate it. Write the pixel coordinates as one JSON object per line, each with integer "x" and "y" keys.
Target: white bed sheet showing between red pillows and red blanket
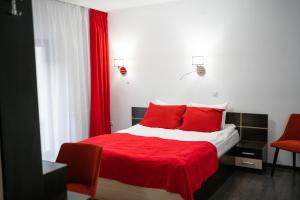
{"x": 223, "y": 139}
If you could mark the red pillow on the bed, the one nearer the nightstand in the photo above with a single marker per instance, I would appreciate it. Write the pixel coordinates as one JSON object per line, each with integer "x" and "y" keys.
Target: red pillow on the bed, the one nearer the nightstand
{"x": 202, "y": 119}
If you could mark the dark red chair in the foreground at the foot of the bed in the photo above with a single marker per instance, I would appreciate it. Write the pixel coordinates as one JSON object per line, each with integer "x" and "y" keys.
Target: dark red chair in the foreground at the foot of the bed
{"x": 83, "y": 168}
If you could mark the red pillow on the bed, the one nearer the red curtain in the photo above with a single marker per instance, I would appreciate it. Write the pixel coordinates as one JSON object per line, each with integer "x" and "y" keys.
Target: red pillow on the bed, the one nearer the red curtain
{"x": 163, "y": 116}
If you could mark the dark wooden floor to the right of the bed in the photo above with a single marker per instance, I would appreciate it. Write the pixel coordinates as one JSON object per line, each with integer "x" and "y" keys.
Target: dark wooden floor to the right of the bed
{"x": 245, "y": 184}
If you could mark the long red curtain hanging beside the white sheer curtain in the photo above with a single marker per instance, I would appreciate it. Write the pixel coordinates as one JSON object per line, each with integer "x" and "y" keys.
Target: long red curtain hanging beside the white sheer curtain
{"x": 100, "y": 80}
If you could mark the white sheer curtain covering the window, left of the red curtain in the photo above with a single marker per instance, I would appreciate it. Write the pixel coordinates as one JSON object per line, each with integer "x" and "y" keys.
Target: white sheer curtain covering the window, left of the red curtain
{"x": 63, "y": 73}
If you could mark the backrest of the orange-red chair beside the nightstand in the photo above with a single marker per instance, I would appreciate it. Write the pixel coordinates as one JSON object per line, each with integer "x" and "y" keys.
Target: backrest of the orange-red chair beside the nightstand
{"x": 292, "y": 130}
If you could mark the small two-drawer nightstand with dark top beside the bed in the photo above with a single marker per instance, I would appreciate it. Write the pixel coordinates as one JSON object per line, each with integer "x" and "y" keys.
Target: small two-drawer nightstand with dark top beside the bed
{"x": 250, "y": 154}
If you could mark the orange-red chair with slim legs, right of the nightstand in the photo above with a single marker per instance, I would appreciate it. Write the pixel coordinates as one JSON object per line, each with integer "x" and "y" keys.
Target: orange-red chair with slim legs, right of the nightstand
{"x": 289, "y": 141}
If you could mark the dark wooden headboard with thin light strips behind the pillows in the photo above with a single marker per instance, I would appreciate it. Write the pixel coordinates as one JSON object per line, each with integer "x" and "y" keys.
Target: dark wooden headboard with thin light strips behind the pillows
{"x": 253, "y": 127}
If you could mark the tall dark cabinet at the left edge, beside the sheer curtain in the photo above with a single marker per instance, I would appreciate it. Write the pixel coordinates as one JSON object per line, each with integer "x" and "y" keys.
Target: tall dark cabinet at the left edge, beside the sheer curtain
{"x": 20, "y": 137}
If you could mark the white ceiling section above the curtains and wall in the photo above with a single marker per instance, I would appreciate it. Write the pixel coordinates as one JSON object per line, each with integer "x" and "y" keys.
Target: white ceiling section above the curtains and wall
{"x": 110, "y": 5}
